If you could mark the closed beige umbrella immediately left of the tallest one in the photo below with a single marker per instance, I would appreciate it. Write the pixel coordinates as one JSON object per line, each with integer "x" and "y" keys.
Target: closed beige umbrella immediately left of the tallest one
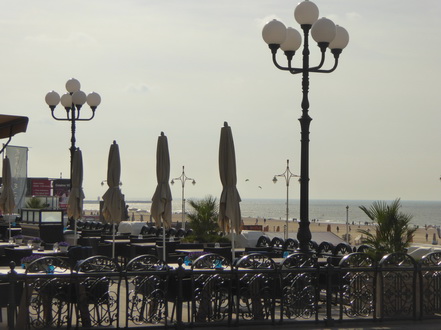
{"x": 161, "y": 202}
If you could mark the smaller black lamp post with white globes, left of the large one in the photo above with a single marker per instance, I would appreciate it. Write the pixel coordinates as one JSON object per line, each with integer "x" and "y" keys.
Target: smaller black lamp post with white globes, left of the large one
{"x": 72, "y": 101}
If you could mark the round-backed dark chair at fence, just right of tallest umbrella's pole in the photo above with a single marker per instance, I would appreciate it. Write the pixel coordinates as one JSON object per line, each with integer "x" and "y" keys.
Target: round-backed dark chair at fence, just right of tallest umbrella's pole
{"x": 255, "y": 291}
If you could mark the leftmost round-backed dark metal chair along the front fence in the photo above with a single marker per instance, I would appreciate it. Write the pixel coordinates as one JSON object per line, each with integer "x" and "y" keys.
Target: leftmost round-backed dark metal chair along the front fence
{"x": 50, "y": 300}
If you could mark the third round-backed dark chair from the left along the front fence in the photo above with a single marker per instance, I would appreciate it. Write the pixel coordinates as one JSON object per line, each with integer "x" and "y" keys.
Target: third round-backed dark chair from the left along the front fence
{"x": 146, "y": 290}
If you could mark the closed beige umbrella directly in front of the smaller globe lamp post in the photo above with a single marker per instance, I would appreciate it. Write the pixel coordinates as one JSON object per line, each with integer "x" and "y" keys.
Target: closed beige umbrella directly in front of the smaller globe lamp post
{"x": 76, "y": 196}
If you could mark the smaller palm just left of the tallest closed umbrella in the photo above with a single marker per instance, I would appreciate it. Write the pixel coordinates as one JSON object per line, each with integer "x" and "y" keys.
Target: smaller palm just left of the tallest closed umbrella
{"x": 203, "y": 220}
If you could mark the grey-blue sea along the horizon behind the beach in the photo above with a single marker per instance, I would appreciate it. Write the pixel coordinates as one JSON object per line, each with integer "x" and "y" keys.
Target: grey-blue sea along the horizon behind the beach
{"x": 331, "y": 211}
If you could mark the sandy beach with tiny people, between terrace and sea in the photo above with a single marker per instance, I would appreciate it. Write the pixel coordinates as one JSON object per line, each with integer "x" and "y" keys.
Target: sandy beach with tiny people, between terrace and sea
{"x": 276, "y": 225}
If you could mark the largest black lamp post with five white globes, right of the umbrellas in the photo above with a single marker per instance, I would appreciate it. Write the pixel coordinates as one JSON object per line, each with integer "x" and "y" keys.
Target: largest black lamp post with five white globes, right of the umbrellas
{"x": 327, "y": 35}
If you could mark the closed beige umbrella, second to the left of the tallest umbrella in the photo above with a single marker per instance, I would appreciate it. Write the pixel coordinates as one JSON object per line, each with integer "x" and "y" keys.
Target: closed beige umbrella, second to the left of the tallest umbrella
{"x": 113, "y": 198}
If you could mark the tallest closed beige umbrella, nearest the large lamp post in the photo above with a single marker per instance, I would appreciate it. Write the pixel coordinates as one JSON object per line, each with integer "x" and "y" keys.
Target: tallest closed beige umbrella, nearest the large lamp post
{"x": 229, "y": 208}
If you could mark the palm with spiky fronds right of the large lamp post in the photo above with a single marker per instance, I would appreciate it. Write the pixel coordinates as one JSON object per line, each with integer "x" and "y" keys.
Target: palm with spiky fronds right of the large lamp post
{"x": 392, "y": 231}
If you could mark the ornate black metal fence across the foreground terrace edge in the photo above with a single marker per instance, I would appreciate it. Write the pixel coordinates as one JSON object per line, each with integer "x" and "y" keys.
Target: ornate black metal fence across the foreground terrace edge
{"x": 147, "y": 293}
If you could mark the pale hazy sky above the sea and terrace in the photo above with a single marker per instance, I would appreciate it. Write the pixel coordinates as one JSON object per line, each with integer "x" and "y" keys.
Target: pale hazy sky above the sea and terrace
{"x": 185, "y": 67}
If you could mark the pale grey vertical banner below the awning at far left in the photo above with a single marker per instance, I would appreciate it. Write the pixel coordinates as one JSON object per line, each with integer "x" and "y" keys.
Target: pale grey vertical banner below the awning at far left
{"x": 18, "y": 157}
